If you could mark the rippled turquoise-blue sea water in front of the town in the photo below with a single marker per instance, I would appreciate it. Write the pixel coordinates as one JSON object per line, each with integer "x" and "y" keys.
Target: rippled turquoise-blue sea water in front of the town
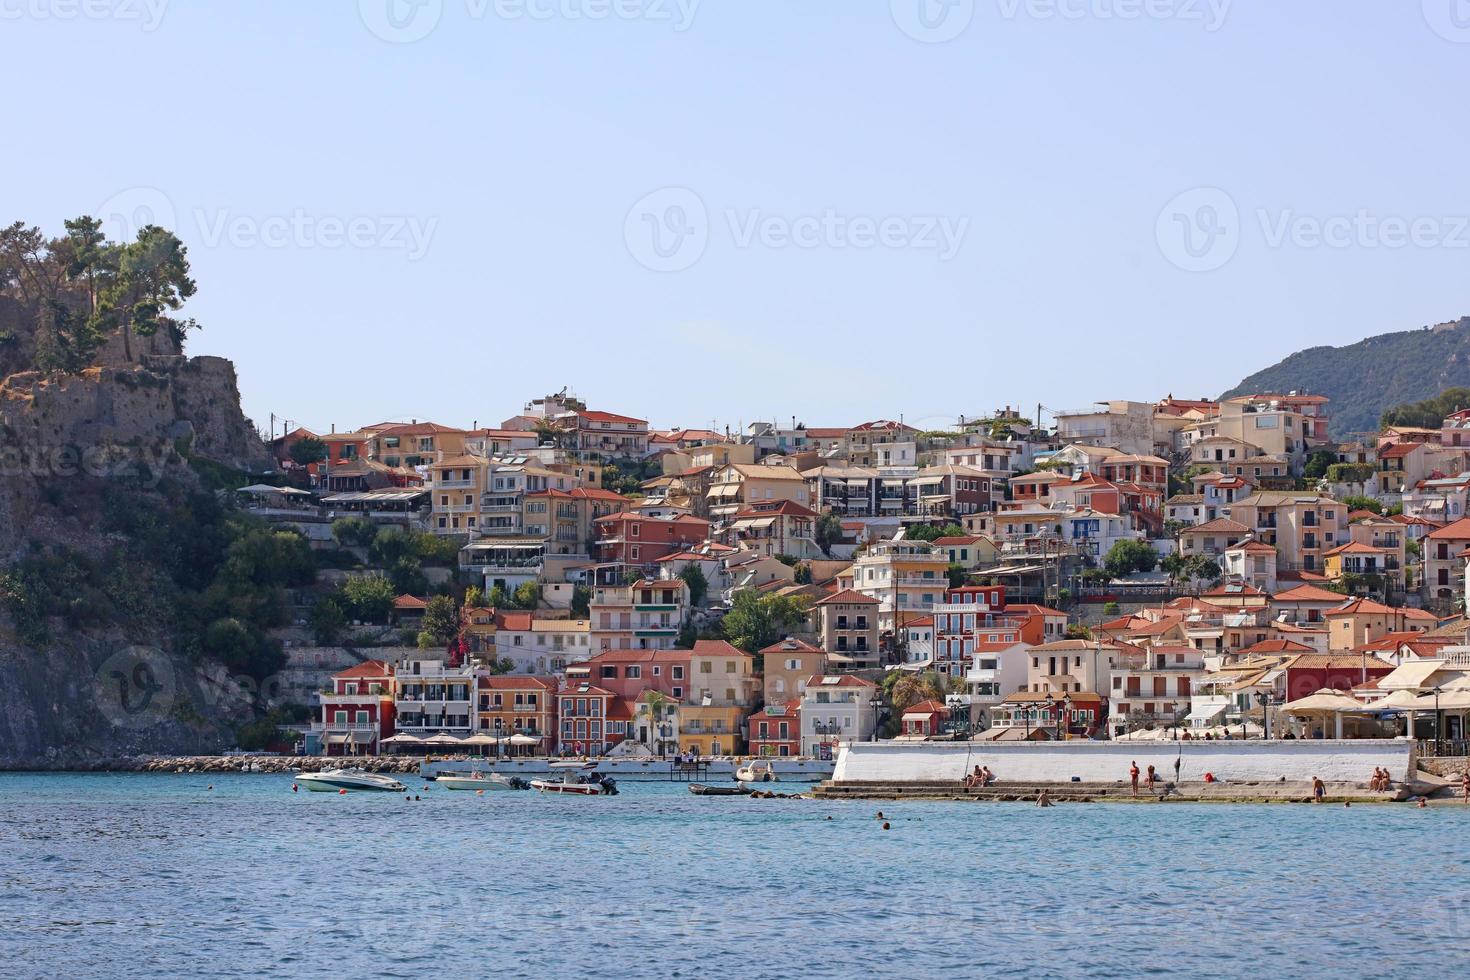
{"x": 133, "y": 875}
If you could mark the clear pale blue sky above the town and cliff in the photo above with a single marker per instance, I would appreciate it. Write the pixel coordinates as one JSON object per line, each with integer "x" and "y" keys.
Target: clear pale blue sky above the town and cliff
{"x": 521, "y": 145}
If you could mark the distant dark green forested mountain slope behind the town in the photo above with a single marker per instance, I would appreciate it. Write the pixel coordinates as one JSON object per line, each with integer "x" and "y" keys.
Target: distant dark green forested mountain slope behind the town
{"x": 1372, "y": 375}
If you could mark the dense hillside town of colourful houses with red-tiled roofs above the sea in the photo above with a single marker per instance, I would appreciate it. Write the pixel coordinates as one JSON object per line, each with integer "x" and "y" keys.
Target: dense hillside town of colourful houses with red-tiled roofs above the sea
{"x": 1184, "y": 569}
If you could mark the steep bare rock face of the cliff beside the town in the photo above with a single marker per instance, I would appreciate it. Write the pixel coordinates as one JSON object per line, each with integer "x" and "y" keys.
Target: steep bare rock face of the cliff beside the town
{"x": 104, "y": 684}
